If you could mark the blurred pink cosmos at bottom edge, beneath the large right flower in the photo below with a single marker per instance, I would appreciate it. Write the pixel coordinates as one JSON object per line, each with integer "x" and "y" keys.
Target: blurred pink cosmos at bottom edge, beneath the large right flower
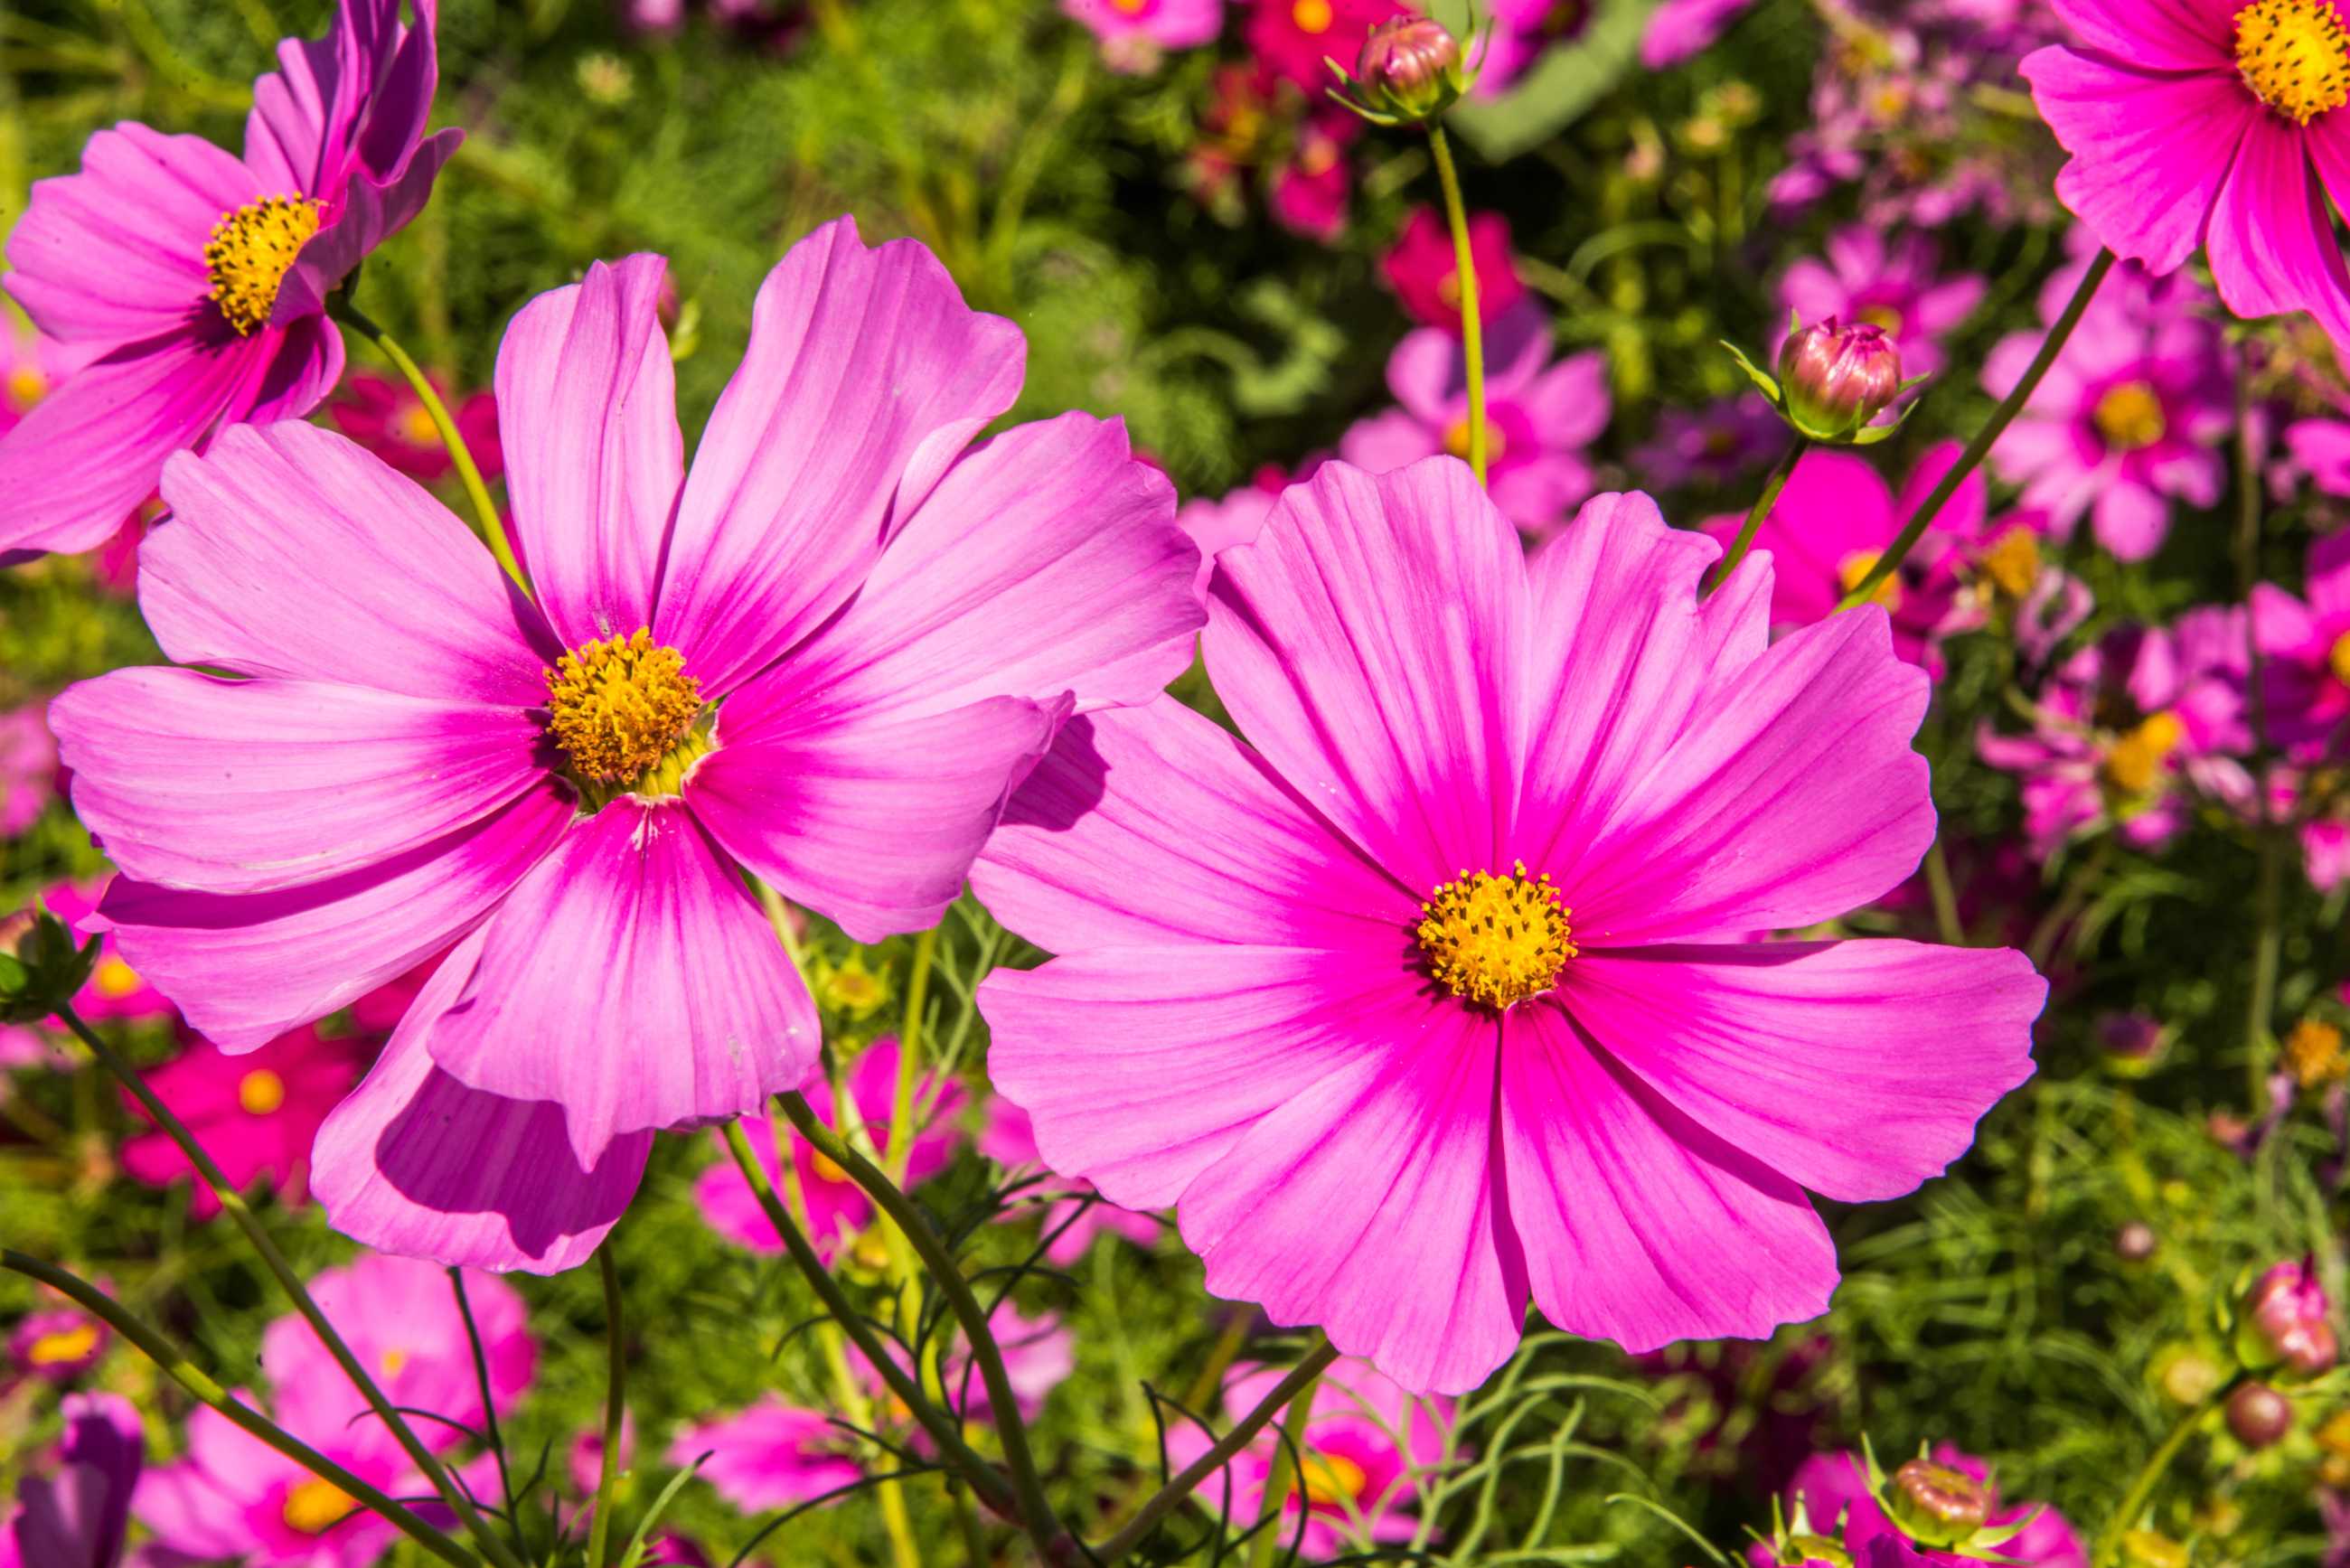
{"x": 1369, "y": 1447}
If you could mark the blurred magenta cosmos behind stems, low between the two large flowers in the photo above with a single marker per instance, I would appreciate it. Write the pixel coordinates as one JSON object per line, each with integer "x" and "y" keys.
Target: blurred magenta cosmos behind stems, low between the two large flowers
{"x": 838, "y": 1207}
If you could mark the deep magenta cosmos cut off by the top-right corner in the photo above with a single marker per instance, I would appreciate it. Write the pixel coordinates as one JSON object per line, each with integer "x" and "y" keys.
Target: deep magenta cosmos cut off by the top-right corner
{"x": 2210, "y": 123}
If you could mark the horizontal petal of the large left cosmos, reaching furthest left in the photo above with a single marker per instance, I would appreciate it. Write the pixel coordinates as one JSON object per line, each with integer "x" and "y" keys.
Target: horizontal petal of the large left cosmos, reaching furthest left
{"x": 255, "y": 786}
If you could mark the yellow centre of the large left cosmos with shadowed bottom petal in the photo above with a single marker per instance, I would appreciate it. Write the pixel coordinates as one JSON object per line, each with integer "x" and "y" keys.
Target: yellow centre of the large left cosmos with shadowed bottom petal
{"x": 626, "y": 713}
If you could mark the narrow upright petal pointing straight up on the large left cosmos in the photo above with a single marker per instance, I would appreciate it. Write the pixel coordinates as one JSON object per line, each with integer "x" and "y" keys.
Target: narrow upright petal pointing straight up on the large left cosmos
{"x": 593, "y": 457}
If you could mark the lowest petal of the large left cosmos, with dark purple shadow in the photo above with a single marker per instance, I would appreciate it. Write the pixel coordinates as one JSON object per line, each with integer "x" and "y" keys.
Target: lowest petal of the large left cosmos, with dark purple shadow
{"x": 424, "y": 1167}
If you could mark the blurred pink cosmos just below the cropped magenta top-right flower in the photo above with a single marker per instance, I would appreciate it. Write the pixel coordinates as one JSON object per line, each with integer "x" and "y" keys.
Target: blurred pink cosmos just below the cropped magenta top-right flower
{"x": 2128, "y": 420}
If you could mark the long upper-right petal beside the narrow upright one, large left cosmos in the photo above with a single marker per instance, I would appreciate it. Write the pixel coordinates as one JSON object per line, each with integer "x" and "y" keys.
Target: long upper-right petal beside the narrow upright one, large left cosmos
{"x": 864, "y": 380}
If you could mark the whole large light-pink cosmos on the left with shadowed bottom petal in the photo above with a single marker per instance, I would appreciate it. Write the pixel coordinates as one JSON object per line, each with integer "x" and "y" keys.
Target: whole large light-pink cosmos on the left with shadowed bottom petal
{"x": 821, "y": 657}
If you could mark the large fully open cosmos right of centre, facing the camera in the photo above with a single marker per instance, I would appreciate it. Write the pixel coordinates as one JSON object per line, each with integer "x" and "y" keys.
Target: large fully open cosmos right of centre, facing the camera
{"x": 1439, "y": 991}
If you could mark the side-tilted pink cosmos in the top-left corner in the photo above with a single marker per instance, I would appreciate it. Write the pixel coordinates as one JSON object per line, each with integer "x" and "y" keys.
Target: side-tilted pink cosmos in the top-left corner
{"x": 196, "y": 283}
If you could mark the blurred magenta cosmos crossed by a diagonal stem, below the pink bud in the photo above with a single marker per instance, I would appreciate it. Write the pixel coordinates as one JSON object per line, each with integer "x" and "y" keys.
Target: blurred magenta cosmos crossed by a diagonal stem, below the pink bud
{"x": 1832, "y": 525}
